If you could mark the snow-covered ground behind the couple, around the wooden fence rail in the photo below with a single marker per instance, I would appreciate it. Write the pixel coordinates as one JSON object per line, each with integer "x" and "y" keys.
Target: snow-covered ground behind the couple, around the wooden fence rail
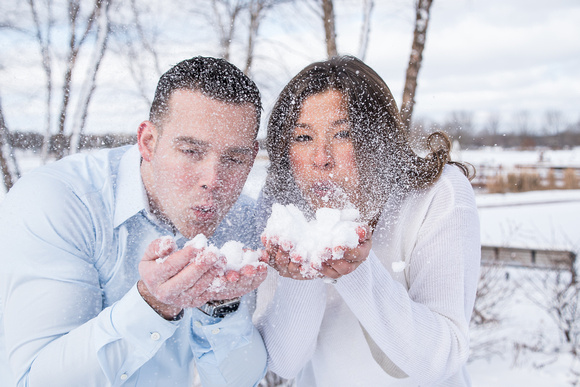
{"x": 524, "y": 348}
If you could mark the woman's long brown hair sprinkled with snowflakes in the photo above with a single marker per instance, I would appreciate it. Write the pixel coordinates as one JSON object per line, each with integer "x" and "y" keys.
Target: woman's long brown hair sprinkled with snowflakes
{"x": 386, "y": 162}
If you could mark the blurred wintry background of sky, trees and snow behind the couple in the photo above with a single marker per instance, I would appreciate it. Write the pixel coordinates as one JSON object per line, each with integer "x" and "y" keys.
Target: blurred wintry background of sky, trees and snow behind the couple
{"x": 501, "y": 77}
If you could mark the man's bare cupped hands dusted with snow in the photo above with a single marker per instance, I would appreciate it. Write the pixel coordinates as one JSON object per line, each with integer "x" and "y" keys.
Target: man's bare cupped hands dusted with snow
{"x": 174, "y": 279}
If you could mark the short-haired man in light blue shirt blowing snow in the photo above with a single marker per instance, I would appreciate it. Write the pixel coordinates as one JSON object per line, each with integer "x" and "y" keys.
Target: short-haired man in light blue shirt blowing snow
{"x": 86, "y": 300}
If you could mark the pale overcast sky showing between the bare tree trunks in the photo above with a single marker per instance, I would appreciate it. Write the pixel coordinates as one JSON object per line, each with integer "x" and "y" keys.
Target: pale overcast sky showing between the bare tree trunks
{"x": 481, "y": 56}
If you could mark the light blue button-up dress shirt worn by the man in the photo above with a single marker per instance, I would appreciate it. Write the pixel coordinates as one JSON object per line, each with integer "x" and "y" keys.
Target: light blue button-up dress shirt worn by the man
{"x": 72, "y": 234}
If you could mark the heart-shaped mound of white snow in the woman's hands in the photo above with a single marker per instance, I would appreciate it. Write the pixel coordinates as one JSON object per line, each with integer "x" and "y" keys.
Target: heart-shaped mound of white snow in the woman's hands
{"x": 312, "y": 242}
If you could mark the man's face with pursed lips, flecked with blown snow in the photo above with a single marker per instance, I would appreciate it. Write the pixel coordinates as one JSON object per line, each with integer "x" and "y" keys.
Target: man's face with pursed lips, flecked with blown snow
{"x": 195, "y": 169}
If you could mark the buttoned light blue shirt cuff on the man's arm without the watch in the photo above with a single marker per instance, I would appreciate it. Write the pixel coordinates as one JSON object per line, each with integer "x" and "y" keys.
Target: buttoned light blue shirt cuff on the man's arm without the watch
{"x": 134, "y": 319}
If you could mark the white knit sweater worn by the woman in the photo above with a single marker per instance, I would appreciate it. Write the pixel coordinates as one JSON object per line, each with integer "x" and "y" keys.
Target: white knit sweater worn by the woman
{"x": 419, "y": 317}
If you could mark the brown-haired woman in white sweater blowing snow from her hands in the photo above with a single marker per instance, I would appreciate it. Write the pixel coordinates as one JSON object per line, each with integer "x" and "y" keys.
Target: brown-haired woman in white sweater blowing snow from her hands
{"x": 335, "y": 138}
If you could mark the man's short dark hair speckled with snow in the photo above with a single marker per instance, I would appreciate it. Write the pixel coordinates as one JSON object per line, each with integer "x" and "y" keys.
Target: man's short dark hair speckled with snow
{"x": 215, "y": 78}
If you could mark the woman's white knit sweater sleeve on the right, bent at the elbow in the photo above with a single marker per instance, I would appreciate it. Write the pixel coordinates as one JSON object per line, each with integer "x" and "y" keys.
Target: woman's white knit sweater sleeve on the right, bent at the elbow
{"x": 423, "y": 330}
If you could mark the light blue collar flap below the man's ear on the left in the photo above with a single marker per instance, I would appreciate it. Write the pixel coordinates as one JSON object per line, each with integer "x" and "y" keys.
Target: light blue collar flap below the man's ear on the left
{"x": 130, "y": 197}
